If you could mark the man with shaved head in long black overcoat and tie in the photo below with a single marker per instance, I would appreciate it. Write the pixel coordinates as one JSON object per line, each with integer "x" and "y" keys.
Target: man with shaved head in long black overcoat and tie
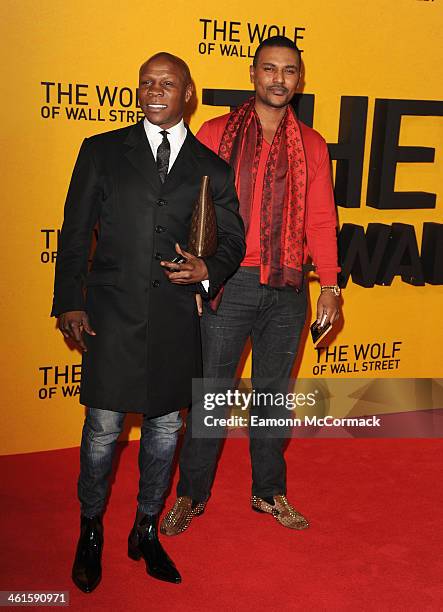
{"x": 135, "y": 321}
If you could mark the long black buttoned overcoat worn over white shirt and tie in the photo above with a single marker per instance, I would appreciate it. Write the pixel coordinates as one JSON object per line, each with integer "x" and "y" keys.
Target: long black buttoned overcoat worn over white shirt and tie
{"x": 147, "y": 348}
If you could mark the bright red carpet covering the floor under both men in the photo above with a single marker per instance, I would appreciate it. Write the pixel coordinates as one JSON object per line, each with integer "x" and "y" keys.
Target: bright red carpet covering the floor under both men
{"x": 375, "y": 541}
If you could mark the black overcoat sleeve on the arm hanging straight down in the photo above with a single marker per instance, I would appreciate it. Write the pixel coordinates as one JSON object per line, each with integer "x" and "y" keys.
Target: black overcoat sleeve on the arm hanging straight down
{"x": 80, "y": 216}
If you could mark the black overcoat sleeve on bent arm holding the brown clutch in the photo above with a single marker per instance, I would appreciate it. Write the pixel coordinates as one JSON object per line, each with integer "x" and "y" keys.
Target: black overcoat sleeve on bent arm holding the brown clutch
{"x": 231, "y": 236}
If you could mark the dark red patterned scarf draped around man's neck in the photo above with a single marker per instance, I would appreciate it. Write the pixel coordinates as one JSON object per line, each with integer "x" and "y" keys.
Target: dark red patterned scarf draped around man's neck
{"x": 284, "y": 188}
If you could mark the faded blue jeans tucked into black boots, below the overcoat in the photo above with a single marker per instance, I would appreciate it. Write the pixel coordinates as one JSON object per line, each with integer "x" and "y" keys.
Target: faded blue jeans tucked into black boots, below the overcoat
{"x": 157, "y": 446}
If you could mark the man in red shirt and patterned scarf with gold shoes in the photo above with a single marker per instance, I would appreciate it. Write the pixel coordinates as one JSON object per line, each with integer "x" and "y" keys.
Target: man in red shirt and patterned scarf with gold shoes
{"x": 286, "y": 200}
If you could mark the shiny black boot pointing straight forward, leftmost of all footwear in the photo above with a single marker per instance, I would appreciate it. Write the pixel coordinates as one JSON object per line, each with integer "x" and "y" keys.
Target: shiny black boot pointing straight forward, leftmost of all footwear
{"x": 87, "y": 568}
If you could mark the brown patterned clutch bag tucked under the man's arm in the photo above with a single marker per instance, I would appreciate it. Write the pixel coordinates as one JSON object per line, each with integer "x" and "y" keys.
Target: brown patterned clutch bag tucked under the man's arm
{"x": 203, "y": 234}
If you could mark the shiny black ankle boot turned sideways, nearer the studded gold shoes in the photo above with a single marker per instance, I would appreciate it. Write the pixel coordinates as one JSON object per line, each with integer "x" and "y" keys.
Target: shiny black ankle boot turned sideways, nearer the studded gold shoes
{"x": 143, "y": 542}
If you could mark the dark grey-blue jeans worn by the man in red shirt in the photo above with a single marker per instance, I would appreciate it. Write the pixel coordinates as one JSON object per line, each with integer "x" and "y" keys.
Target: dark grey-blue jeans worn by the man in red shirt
{"x": 274, "y": 320}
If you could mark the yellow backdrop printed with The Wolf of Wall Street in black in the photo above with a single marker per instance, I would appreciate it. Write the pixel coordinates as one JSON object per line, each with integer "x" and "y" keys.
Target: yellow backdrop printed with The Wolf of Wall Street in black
{"x": 372, "y": 86}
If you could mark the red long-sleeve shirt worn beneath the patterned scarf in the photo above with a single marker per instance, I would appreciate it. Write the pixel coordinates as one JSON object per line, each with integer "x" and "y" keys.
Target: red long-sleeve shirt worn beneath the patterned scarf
{"x": 321, "y": 218}
